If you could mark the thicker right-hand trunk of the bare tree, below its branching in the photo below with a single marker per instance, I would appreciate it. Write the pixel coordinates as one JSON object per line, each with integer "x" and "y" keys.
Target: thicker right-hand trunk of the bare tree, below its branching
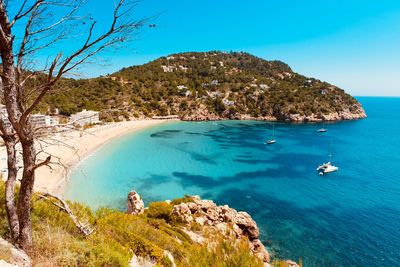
{"x": 25, "y": 194}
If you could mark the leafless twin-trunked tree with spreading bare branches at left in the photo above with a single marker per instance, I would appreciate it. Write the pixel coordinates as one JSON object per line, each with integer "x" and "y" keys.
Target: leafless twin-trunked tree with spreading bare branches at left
{"x": 26, "y": 28}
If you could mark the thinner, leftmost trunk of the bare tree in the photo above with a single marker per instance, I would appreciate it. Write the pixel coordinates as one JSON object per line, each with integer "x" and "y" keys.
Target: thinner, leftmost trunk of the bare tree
{"x": 10, "y": 187}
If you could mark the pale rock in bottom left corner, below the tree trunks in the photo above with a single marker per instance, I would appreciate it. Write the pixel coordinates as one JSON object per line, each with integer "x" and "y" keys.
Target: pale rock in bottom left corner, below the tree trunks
{"x": 12, "y": 256}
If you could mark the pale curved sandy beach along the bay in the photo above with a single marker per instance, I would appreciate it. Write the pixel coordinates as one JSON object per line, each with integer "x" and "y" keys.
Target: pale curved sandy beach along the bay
{"x": 69, "y": 147}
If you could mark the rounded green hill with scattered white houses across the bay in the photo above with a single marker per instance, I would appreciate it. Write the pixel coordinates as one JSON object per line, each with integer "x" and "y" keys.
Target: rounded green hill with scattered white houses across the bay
{"x": 208, "y": 86}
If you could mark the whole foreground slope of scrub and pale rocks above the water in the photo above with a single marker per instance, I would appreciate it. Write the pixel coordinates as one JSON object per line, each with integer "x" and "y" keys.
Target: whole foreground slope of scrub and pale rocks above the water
{"x": 194, "y": 229}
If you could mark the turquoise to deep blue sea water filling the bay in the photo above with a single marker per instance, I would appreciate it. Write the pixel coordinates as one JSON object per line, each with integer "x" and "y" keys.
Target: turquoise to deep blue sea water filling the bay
{"x": 348, "y": 218}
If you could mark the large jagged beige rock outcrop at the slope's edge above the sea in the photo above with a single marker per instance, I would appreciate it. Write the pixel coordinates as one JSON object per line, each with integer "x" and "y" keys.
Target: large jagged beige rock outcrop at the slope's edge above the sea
{"x": 222, "y": 219}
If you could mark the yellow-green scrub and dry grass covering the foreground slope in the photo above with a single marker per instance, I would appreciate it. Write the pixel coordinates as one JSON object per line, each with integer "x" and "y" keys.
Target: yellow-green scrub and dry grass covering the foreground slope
{"x": 117, "y": 236}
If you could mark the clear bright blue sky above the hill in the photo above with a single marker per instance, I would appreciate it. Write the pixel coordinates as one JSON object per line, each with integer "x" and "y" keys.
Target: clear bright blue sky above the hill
{"x": 352, "y": 44}
